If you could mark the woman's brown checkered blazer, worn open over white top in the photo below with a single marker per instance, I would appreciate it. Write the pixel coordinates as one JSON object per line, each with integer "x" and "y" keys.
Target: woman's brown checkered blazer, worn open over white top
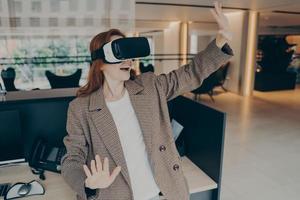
{"x": 91, "y": 129}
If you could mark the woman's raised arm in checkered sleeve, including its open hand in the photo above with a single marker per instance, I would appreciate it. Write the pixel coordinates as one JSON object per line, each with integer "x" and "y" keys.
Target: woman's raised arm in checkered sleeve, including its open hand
{"x": 191, "y": 76}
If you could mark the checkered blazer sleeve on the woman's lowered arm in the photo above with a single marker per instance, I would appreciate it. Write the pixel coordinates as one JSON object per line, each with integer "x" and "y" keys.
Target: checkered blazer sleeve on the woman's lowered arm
{"x": 72, "y": 162}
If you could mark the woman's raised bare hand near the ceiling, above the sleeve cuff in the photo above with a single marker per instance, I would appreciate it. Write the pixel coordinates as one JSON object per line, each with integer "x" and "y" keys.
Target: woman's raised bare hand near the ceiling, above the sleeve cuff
{"x": 224, "y": 34}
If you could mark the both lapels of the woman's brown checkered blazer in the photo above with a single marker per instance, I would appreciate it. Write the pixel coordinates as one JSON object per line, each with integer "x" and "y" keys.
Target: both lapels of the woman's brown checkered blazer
{"x": 107, "y": 129}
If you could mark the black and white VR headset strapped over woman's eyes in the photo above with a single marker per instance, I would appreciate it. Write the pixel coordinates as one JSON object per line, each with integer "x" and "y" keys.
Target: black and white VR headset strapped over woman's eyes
{"x": 122, "y": 49}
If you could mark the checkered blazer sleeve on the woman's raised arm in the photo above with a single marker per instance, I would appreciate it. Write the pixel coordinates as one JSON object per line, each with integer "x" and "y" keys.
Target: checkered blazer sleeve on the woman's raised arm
{"x": 191, "y": 75}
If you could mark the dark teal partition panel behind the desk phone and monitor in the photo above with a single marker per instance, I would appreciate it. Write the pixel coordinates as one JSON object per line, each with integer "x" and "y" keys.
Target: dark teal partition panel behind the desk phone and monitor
{"x": 40, "y": 117}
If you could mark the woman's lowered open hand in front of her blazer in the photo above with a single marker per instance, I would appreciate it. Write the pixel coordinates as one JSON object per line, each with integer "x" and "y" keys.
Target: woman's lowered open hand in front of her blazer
{"x": 99, "y": 176}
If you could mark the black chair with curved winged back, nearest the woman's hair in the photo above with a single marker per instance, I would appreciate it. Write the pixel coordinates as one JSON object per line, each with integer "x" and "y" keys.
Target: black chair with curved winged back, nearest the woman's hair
{"x": 64, "y": 81}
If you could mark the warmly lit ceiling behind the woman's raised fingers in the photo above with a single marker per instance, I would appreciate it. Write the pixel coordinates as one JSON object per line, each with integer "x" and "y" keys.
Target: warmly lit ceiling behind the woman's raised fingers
{"x": 272, "y": 12}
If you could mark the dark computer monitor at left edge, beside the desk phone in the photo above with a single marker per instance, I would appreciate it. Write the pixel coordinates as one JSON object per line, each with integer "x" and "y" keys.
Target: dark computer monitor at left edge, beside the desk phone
{"x": 11, "y": 145}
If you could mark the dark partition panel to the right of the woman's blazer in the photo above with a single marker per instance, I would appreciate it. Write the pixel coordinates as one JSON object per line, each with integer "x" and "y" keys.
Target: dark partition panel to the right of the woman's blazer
{"x": 201, "y": 139}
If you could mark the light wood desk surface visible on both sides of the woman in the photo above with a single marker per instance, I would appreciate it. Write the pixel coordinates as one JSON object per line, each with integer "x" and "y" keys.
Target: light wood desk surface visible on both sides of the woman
{"x": 56, "y": 187}
